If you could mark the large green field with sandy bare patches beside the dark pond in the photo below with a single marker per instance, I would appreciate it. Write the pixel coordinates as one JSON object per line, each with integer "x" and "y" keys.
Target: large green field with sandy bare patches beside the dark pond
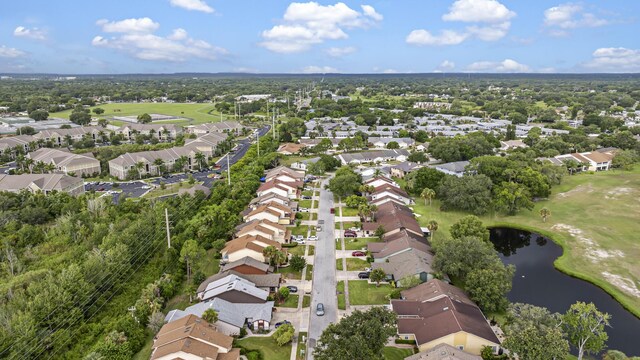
{"x": 594, "y": 217}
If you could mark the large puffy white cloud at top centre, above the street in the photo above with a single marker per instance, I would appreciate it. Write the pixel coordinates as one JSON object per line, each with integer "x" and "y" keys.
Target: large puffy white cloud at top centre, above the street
{"x": 308, "y": 24}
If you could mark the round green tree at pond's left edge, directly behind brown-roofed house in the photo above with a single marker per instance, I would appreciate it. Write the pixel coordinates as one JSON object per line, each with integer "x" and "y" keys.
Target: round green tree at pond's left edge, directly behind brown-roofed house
{"x": 489, "y": 286}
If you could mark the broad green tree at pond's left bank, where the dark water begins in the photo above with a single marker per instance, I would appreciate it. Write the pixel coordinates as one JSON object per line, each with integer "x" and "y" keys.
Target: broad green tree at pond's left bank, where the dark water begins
{"x": 459, "y": 256}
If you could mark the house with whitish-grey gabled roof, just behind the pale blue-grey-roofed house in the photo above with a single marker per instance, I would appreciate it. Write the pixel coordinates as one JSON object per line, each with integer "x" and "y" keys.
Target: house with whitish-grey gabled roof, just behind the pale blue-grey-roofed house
{"x": 234, "y": 289}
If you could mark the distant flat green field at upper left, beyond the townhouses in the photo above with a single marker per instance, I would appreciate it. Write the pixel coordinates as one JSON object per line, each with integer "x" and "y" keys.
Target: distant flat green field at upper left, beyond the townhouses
{"x": 198, "y": 112}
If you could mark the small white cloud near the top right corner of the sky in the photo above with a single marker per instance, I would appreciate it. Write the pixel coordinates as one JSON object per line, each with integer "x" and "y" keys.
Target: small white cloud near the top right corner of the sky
{"x": 570, "y": 16}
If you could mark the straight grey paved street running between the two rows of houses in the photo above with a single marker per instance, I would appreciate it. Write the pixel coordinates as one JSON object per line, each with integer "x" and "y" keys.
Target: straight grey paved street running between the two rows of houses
{"x": 324, "y": 270}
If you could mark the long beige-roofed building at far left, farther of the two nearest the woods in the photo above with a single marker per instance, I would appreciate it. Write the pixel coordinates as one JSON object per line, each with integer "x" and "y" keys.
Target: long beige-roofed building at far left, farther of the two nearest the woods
{"x": 68, "y": 163}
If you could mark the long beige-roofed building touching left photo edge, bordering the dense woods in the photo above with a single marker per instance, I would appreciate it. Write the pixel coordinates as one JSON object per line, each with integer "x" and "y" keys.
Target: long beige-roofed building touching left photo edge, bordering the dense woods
{"x": 45, "y": 183}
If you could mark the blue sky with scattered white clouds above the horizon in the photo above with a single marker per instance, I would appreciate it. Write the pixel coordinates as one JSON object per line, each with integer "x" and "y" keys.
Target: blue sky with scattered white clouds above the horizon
{"x": 275, "y": 36}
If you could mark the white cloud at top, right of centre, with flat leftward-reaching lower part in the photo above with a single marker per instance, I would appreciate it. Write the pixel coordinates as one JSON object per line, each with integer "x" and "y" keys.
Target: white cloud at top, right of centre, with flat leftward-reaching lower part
{"x": 492, "y": 20}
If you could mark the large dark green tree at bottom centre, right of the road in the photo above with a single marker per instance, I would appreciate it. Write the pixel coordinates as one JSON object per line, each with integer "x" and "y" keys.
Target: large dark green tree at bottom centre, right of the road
{"x": 358, "y": 336}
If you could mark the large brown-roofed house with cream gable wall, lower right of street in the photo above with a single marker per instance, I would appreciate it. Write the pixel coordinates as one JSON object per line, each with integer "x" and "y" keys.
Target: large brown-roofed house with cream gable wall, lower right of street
{"x": 434, "y": 312}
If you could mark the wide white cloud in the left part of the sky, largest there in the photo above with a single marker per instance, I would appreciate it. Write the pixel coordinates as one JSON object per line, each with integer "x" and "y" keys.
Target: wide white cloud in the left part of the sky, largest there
{"x": 143, "y": 44}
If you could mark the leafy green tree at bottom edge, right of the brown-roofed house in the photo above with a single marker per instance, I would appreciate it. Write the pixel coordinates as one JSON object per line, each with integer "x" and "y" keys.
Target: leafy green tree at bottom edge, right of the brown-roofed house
{"x": 534, "y": 333}
